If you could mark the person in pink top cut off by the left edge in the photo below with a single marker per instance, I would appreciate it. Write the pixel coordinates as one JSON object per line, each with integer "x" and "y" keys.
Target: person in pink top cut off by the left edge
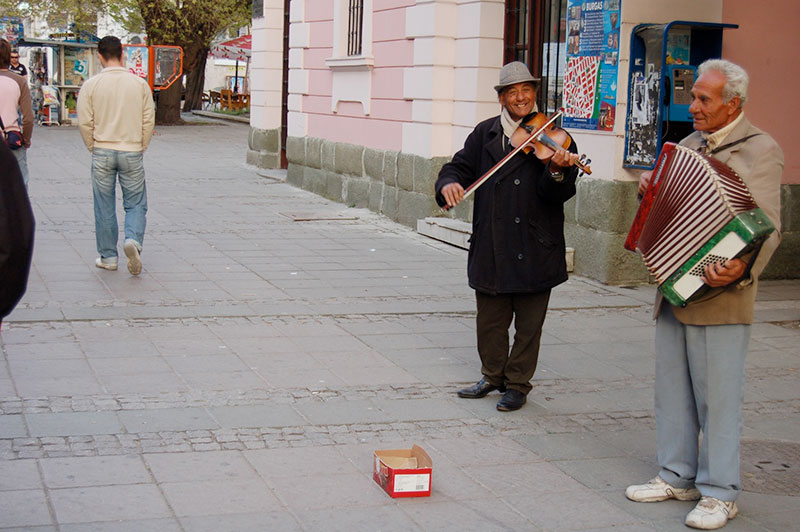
{"x": 15, "y": 100}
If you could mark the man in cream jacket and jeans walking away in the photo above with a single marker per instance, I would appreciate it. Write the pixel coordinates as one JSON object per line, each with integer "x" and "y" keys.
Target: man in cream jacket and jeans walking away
{"x": 116, "y": 117}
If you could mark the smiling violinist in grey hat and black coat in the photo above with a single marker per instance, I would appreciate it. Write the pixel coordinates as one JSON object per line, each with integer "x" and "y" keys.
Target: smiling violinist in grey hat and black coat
{"x": 517, "y": 250}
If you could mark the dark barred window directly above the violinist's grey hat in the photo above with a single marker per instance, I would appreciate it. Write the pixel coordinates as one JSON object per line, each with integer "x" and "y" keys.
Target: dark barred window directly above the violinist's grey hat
{"x": 535, "y": 33}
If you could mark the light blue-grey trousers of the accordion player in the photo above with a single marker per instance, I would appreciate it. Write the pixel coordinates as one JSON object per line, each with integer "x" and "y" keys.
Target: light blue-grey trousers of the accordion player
{"x": 700, "y": 387}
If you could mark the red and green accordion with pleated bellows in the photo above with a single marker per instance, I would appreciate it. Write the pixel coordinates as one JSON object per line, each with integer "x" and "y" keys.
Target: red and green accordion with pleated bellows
{"x": 696, "y": 211}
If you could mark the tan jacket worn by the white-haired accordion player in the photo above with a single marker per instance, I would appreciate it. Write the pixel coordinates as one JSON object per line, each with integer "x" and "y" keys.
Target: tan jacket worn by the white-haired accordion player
{"x": 759, "y": 162}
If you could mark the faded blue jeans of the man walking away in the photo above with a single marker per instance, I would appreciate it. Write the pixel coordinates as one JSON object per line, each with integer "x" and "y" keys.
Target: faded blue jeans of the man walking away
{"x": 106, "y": 166}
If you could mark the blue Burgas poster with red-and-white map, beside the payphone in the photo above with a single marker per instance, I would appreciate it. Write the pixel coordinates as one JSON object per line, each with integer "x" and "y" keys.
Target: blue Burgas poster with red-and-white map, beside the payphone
{"x": 590, "y": 78}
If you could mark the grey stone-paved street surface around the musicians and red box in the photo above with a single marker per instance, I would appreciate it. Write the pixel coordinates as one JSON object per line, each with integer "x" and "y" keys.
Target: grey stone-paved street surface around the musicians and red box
{"x": 244, "y": 379}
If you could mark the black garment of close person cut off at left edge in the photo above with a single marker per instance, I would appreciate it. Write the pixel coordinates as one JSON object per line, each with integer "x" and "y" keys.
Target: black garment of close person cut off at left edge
{"x": 16, "y": 233}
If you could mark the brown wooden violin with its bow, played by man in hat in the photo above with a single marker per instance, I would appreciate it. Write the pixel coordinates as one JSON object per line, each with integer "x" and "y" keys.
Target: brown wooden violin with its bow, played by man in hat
{"x": 538, "y": 133}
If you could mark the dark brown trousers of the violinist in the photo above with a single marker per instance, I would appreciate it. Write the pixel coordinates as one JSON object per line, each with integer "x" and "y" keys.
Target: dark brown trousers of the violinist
{"x": 515, "y": 369}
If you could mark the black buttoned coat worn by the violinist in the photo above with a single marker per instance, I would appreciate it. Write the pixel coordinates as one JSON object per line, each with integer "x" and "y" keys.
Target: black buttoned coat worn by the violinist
{"x": 517, "y": 243}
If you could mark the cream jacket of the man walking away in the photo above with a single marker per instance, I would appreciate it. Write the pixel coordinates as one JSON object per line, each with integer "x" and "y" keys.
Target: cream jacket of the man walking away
{"x": 116, "y": 111}
